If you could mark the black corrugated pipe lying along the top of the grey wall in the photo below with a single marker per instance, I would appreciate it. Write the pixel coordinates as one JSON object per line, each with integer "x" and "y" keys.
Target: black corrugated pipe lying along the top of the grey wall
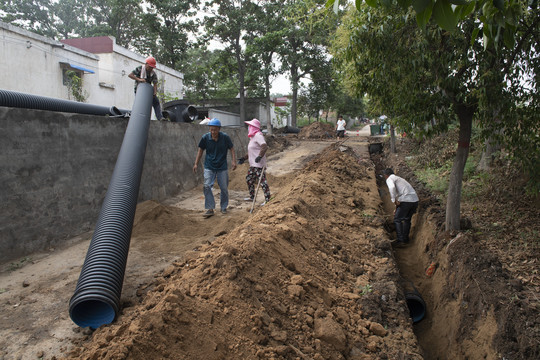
{"x": 28, "y": 101}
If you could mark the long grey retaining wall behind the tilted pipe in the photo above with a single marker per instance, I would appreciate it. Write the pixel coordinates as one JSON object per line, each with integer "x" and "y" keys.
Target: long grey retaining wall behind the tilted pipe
{"x": 55, "y": 169}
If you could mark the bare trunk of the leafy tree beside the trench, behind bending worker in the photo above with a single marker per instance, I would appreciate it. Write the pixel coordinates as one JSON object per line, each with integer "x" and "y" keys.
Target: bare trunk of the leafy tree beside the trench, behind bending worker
{"x": 453, "y": 202}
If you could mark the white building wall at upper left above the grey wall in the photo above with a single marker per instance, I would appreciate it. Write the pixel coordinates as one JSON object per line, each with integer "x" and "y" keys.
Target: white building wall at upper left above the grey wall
{"x": 32, "y": 63}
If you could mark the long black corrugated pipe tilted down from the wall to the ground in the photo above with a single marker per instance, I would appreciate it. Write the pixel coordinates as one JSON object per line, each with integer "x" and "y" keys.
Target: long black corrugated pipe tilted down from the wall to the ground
{"x": 96, "y": 300}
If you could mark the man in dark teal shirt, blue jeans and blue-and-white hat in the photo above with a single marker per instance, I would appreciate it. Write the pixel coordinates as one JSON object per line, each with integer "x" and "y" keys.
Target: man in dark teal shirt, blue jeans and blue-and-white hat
{"x": 216, "y": 144}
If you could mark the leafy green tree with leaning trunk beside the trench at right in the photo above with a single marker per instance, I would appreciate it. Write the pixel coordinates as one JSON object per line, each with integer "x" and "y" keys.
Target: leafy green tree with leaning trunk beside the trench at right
{"x": 427, "y": 77}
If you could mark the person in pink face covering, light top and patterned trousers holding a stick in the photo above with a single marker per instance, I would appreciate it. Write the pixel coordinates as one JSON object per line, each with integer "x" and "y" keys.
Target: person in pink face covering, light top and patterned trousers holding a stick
{"x": 256, "y": 155}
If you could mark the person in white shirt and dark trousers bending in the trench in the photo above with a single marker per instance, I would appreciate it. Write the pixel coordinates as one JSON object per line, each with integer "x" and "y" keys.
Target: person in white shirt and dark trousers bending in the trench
{"x": 405, "y": 198}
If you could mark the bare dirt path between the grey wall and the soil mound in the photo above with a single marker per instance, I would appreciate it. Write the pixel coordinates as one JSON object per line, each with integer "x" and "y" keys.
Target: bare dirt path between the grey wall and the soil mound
{"x": 35, "y": 291}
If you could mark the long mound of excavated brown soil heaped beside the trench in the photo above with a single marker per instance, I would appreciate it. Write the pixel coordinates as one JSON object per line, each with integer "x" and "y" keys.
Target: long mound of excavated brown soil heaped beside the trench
{"x": 308, "y": 276}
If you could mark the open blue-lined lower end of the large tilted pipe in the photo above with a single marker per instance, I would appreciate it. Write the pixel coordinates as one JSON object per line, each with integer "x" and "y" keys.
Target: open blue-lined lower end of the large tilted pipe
{"x": 92, "y": 308}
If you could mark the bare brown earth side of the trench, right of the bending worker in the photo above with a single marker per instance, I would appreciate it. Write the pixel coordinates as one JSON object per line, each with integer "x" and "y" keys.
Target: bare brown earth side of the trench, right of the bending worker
{"x": 472, "y": 311}
